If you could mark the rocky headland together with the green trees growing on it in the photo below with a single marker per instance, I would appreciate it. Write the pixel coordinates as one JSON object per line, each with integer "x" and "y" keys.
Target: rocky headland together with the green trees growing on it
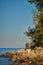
{"x": 33, "y": 54}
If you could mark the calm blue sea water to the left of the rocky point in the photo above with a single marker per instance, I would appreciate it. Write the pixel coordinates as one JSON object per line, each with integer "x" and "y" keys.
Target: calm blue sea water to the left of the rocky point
{"x": 6, "y": 61}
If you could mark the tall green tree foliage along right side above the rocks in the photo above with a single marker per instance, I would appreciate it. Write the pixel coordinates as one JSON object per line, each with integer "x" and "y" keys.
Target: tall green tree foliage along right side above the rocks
{"x": 37, "y": 32}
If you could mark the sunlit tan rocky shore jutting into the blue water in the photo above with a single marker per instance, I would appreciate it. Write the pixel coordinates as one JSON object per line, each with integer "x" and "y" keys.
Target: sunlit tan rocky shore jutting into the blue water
{"x": 26, "y": 56}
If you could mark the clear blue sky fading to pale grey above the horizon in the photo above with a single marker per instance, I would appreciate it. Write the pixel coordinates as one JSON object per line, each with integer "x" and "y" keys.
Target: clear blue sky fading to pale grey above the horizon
{"x": 15, "y": 18}
